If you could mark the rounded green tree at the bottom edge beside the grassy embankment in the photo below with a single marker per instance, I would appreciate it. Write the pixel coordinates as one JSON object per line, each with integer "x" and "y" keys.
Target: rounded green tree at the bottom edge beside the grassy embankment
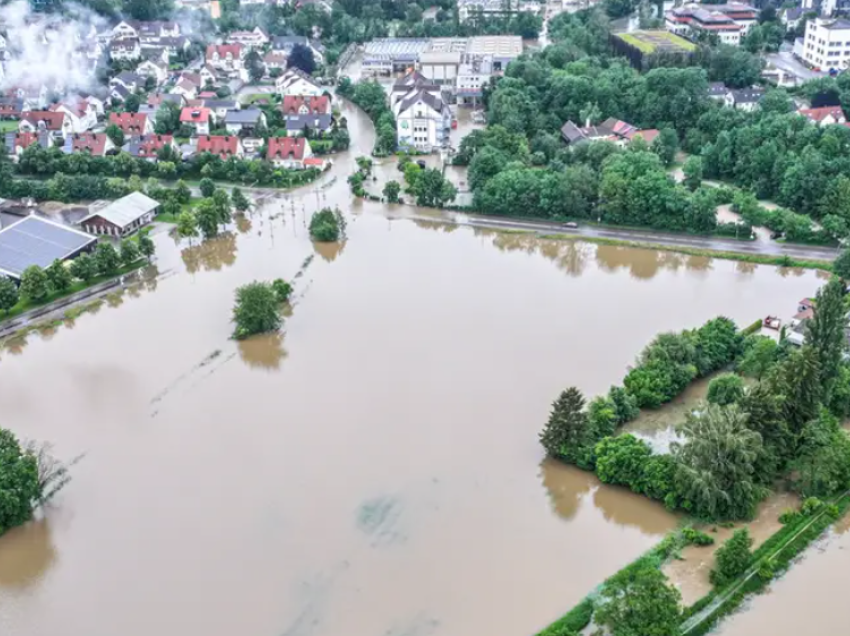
{"x": 638, "y": 601}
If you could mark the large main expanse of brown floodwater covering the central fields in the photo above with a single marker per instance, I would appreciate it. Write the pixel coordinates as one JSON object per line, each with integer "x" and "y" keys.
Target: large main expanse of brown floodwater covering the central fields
{"x": 374, "y": 468}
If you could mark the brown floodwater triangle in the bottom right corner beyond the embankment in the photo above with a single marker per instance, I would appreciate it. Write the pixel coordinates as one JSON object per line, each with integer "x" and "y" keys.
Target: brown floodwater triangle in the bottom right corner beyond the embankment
{"x": 809, "y": 599}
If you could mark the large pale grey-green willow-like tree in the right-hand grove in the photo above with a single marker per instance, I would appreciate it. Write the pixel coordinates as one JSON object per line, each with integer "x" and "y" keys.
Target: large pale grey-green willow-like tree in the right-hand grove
{"x": 716, "y": 463}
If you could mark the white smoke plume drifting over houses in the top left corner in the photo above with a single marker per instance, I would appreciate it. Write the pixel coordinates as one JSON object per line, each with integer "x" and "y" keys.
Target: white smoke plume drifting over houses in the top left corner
{"x": 49, "y": 49}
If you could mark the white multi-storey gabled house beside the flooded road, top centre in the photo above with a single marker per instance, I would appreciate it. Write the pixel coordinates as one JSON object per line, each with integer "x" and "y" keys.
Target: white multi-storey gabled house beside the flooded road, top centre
{"x": 423, "y": 121}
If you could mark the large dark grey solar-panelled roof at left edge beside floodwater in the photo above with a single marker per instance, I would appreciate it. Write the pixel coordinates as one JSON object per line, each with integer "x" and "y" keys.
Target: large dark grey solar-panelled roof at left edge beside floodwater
{"x": 37, "y": 241}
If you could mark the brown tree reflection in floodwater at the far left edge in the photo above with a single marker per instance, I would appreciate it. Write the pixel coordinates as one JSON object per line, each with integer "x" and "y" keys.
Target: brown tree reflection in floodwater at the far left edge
{"x": 26, "y": 553}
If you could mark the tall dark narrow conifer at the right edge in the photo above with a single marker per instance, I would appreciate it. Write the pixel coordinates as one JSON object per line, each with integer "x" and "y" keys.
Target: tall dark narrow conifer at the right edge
{"x": 826, "y": 332}
